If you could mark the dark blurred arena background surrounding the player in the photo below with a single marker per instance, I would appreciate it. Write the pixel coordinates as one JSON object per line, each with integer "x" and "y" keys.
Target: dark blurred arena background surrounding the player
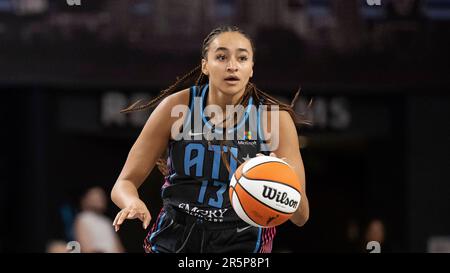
{"x": 376, "y": 157}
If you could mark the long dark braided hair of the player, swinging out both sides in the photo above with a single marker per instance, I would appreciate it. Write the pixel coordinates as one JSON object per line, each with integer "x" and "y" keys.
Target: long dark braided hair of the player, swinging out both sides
{"x": 196, "y": 77}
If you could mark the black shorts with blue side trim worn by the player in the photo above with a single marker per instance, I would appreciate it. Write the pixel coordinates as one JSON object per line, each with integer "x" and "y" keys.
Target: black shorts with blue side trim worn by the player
{"x": 178, "y": 232}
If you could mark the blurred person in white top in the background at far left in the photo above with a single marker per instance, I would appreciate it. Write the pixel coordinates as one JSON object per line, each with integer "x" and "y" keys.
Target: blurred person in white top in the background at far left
{"x": 93, "y": 230}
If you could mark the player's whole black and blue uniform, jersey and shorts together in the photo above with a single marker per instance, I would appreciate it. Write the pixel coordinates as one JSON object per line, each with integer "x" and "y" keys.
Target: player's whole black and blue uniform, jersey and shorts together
{"x": 197, "y": 215}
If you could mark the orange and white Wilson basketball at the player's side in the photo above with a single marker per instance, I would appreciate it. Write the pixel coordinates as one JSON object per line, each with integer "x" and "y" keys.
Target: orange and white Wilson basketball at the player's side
{"x": 265, "y": 191}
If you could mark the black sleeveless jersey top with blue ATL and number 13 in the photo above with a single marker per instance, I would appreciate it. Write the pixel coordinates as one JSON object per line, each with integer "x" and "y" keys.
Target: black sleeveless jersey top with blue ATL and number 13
{"x": 198, "y": 179}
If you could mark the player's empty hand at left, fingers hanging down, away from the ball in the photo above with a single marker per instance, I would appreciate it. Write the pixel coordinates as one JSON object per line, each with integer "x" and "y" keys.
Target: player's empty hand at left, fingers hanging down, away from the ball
{"x": 136, "y": 209}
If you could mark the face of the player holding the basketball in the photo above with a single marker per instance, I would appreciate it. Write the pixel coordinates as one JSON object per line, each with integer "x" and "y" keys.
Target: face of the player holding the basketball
{"x": 229, "y": 63}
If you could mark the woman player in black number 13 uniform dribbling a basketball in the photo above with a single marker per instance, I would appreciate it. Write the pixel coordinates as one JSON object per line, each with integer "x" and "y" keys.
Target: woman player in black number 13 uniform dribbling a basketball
{"x": 197, "y": 215}
